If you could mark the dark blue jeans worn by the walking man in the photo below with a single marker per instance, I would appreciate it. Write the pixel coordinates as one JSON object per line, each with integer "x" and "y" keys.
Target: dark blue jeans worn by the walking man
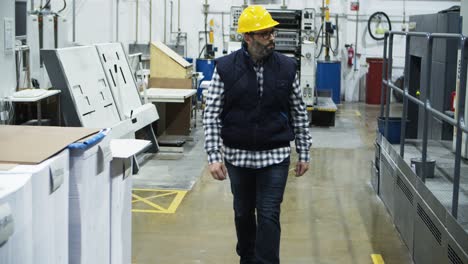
{"x": 258, "y": 237}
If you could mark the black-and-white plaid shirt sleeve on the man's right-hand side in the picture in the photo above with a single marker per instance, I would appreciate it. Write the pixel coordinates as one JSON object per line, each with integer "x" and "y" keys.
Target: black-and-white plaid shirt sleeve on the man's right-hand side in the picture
{"x": 300, "y": 122}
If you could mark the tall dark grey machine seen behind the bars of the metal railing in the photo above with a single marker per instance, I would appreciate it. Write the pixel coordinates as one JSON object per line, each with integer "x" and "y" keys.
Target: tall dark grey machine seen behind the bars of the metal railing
{"x": 443, "y": 73}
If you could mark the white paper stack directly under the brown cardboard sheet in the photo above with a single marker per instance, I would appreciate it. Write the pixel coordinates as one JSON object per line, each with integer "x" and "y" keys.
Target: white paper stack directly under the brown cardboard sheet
{"x": 50, "y": 211}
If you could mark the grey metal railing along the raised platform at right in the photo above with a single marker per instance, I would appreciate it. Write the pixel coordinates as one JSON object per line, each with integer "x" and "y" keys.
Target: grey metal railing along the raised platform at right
{"x": 458, "y": 122}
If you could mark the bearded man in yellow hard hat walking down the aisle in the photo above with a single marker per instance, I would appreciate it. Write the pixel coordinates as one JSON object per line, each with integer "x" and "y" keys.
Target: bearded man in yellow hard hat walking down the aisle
{"x": 254, "y": 109}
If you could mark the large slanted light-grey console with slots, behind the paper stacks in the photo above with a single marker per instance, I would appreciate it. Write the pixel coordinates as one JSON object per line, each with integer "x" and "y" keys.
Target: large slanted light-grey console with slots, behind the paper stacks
{"x": 98, "y": 89}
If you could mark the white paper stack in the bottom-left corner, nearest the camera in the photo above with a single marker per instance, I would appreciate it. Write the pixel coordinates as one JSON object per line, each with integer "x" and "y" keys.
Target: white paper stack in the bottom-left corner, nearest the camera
{"x": 16, "y": 219}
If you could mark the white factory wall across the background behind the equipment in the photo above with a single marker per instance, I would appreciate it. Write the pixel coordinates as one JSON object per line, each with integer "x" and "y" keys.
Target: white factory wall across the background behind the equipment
{"x": 96, "y": 22}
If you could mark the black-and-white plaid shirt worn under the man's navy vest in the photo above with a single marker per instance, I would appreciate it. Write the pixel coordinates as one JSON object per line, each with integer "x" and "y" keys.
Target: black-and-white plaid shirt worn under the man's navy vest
{"x": 248, "y": 158}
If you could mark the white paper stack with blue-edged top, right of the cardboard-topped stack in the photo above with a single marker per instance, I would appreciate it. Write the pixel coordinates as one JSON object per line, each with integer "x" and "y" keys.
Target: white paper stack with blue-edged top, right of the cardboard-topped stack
{"x": 89, "y": 203}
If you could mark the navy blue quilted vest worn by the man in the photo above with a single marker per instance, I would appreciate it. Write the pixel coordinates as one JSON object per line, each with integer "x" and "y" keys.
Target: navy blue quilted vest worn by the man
{"x": 250, "y": 121}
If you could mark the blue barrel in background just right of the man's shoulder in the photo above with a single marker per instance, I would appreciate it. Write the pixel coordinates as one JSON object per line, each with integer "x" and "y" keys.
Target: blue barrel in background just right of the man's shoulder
{"x": 329, "y": 78}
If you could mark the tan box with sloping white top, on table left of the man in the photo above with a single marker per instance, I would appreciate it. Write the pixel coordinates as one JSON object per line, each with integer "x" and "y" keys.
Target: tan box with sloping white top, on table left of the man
{"x": 166, "y": 63}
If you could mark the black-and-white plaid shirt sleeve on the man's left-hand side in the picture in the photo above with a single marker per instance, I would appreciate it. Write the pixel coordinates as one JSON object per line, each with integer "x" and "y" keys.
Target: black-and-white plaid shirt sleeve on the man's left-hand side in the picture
{"x": 211, "y": 119}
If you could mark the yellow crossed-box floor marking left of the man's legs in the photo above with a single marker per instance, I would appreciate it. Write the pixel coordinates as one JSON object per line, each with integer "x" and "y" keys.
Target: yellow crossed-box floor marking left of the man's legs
{"x": 155, "y": 208}
